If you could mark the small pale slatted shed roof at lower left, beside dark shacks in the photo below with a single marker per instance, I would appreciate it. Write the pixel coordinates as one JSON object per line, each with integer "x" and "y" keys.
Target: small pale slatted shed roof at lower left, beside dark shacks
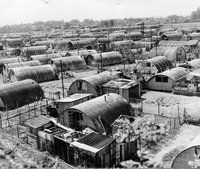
{"x": 38, "y": 122}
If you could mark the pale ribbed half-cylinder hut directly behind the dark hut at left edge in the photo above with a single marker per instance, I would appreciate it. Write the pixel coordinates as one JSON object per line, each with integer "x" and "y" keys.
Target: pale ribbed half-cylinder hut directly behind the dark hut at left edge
{"x": 42, "y": 73}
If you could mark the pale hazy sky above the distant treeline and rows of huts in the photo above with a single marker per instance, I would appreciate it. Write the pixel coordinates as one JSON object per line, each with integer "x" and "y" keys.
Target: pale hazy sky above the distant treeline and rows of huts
{"x": 28, "y": 11}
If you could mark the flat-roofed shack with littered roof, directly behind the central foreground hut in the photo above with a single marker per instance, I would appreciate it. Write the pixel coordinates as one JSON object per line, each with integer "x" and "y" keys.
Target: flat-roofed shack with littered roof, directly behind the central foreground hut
{"x": 128, "y": 89}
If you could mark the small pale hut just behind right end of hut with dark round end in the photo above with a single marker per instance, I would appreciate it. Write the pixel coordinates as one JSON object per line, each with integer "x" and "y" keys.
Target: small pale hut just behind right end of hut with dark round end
{"x": 118, "y": 45}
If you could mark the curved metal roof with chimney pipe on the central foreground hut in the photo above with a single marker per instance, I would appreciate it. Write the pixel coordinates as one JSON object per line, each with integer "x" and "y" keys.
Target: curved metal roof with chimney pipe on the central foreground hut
{"x": 107, "y": 108}
